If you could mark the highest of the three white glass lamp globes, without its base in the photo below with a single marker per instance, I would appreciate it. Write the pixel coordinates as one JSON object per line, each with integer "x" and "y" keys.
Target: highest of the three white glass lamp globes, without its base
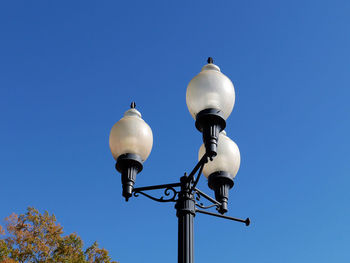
{"x": 210, "y": 89}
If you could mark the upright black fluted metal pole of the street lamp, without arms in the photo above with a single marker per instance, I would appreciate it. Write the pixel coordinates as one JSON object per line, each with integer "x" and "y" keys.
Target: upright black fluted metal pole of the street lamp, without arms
{"x": 185, "y": 207}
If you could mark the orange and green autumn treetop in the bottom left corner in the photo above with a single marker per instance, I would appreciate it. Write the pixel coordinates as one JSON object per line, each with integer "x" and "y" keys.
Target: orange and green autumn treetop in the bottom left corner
{"x": 37, "y": 238}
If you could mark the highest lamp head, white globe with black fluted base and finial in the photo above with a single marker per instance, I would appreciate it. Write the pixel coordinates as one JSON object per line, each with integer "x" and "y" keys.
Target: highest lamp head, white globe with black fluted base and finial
{"x": 210, "y": 98}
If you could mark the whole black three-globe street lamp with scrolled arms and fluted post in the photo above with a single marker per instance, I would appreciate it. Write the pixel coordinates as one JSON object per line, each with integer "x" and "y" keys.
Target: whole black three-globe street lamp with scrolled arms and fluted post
{"x": 210, "y": 99}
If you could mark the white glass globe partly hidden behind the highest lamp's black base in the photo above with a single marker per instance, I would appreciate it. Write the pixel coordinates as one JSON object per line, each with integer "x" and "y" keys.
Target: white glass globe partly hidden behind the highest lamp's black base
{"x": 227, "y": 160}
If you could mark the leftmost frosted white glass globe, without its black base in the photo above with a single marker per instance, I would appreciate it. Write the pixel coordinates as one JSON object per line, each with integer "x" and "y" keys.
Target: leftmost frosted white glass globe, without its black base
{"x": 131, "y": 134}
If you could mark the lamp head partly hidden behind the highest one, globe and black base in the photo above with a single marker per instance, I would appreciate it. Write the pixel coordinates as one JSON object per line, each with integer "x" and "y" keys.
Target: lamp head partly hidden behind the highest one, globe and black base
{"x": 222, "y": 169}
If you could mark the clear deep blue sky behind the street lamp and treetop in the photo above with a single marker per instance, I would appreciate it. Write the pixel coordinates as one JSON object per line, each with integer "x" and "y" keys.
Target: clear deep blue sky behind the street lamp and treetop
{"x": 69, "y": 70}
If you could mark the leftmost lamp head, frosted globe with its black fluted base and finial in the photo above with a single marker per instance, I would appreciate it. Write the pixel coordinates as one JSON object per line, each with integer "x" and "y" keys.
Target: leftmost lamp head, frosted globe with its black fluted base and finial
{"x": 131, "y": 143}
